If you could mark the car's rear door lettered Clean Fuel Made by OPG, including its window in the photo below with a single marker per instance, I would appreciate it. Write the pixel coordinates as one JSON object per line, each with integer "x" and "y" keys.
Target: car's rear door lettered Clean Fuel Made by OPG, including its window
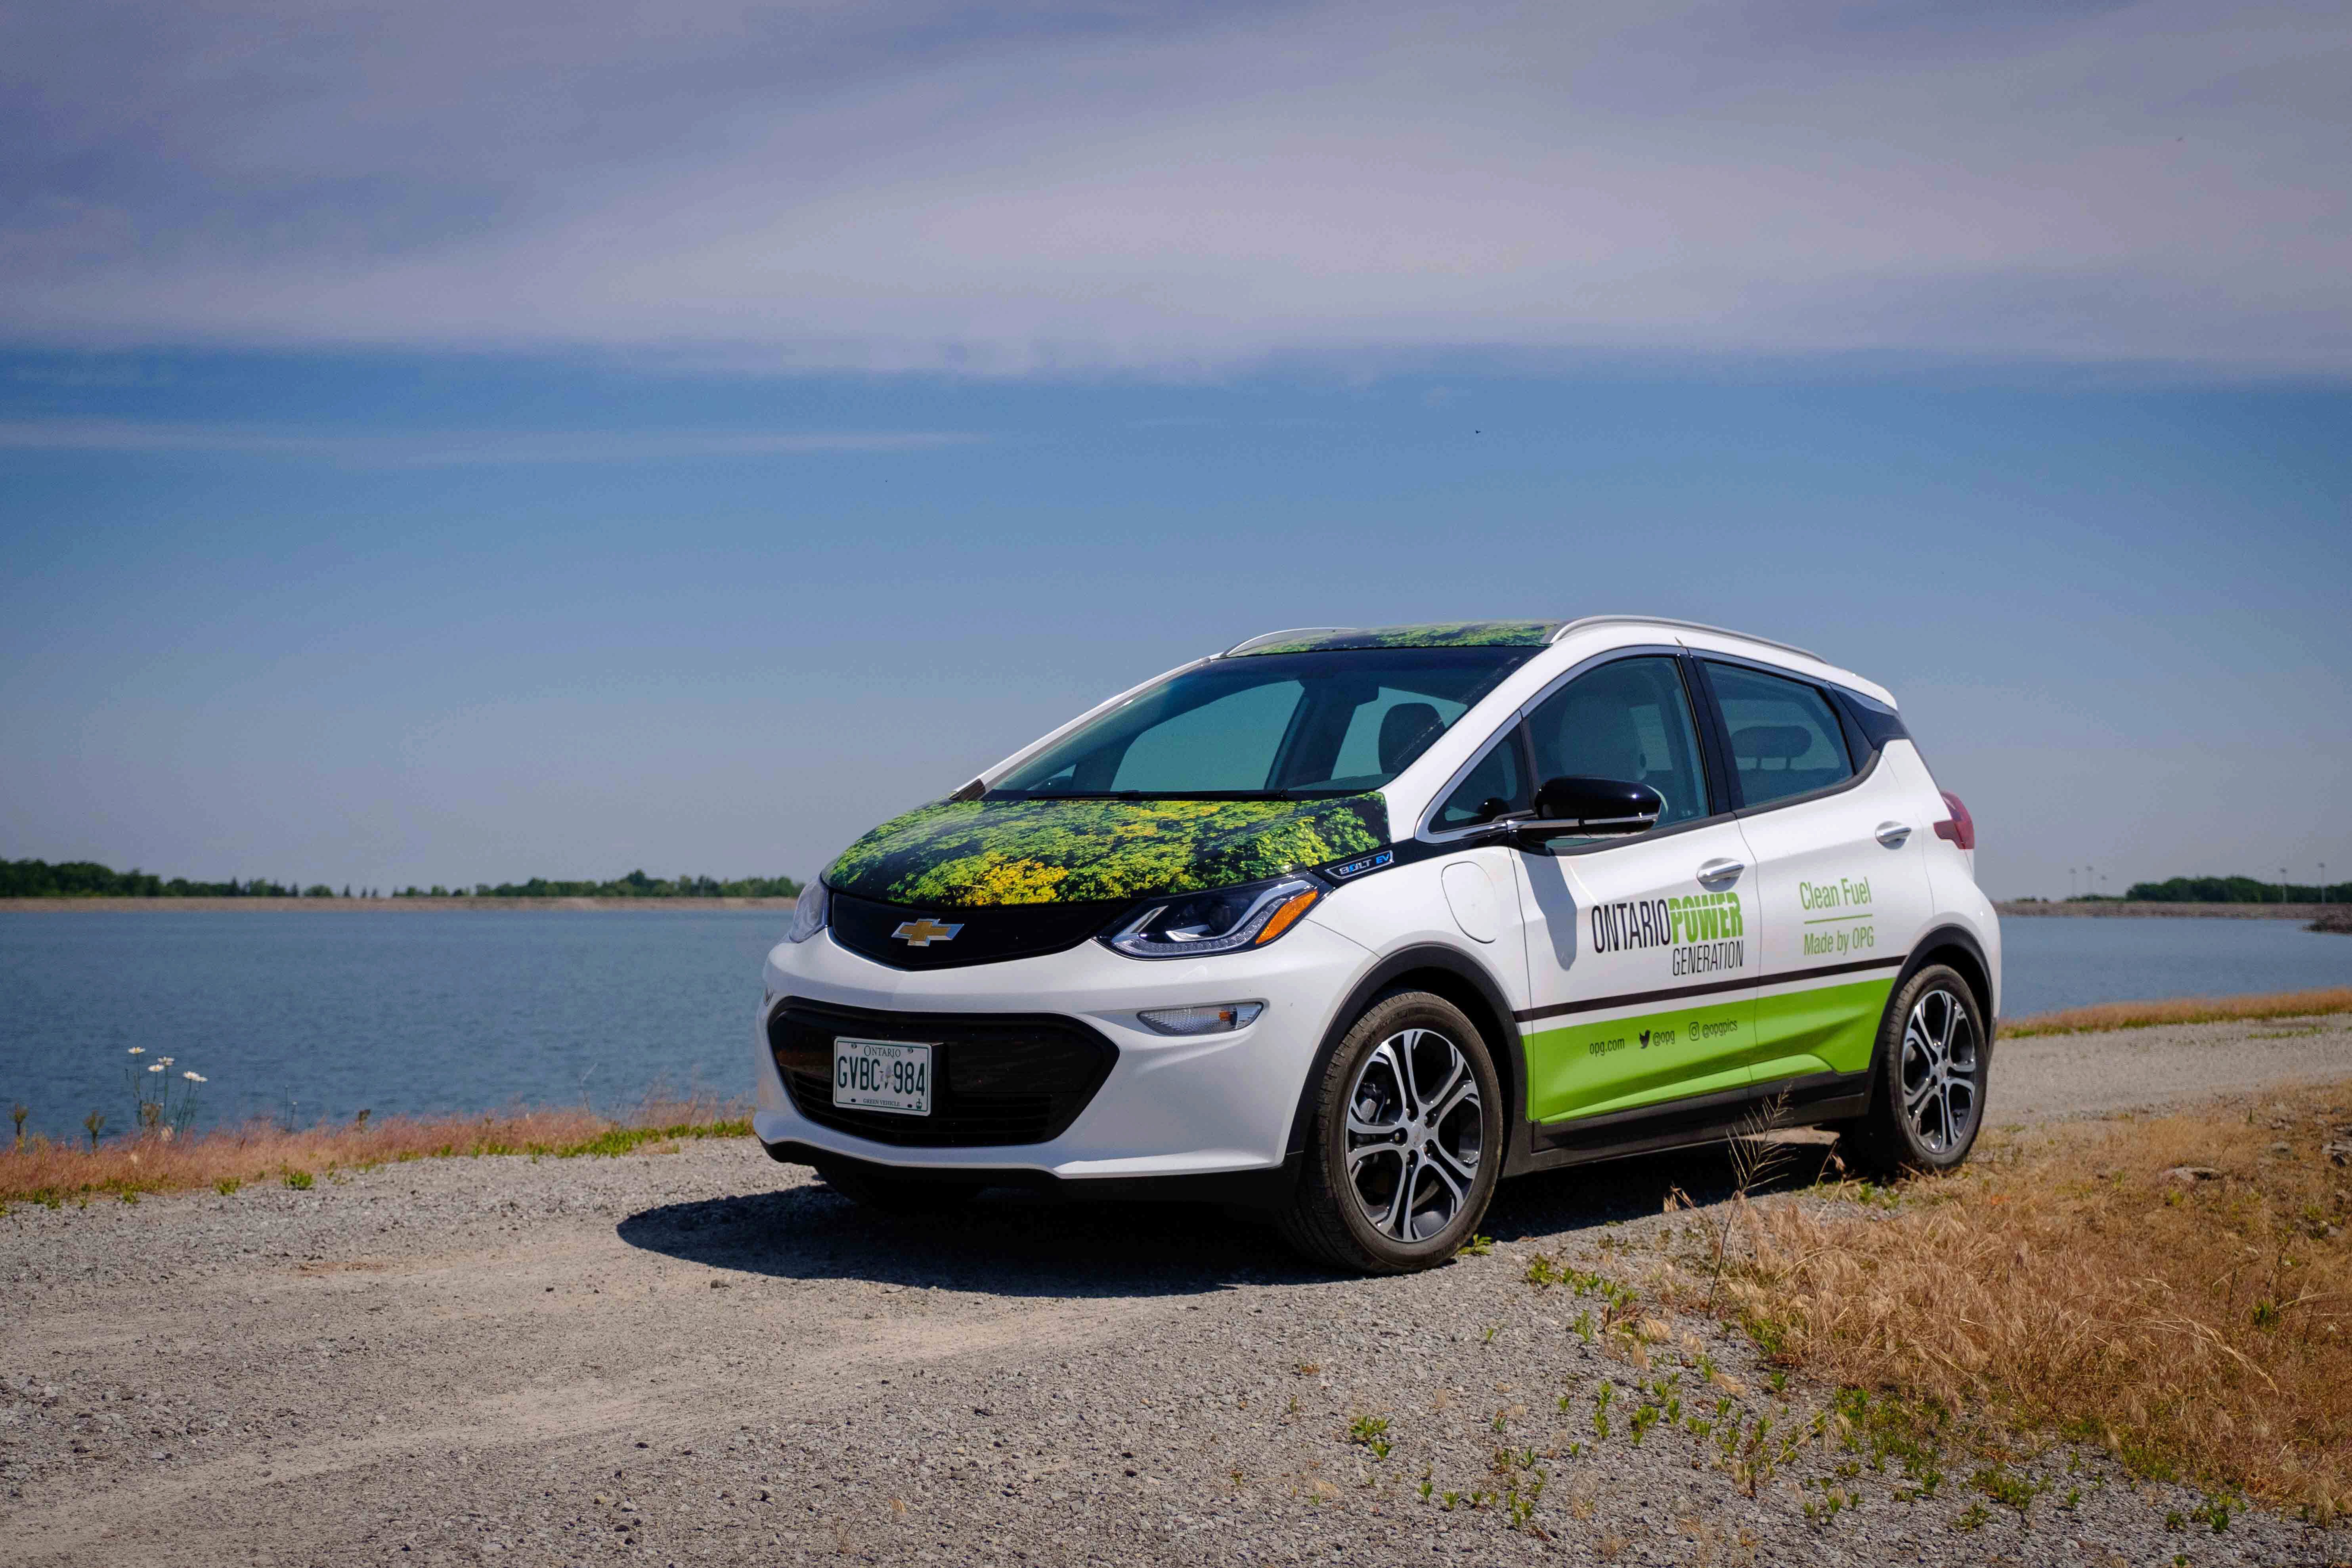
{"x": 1840, "y": 878}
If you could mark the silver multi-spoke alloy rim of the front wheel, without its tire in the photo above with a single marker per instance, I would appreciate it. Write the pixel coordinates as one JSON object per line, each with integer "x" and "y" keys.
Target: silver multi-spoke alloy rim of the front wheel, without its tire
{"x": 1415, "y": 1134}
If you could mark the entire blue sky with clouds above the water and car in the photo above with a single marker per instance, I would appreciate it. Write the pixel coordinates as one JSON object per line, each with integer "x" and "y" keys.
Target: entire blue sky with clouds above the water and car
{"x": 453, "y": 445}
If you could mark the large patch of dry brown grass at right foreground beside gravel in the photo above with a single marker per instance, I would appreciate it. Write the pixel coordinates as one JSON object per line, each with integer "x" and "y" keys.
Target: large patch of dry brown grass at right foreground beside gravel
{"x": 2198, "y": 1322}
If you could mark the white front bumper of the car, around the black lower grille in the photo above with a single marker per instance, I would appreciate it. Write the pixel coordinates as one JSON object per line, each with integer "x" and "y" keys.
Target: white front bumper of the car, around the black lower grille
{"x": 1170, "y": 1108}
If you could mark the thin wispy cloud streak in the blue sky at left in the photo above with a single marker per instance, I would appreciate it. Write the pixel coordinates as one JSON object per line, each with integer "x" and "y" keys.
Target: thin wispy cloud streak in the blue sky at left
{"x": 453, "y": 448}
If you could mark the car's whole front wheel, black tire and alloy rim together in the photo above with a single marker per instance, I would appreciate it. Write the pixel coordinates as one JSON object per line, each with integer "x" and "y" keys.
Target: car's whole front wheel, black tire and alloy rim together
{"x": 1445, "y": 1170}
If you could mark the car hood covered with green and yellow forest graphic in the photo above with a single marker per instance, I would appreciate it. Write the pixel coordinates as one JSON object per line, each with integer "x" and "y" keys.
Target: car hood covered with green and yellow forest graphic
{"x": 1005, "y": 852}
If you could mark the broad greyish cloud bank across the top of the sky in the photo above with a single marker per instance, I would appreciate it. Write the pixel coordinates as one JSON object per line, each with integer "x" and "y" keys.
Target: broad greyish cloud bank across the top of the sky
{"x": 1097, "y": 185}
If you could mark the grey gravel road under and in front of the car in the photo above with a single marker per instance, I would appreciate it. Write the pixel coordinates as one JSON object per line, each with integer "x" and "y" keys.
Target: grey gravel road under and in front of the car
{"x": 700, "y": 1358}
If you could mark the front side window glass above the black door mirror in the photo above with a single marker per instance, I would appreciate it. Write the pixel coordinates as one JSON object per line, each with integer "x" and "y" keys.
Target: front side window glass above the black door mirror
{"x": 1629, "y": 721}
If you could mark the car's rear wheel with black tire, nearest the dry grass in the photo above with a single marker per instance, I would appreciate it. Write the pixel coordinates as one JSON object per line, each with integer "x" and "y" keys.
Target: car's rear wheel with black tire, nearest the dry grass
{"x": 1916, "y": 1120}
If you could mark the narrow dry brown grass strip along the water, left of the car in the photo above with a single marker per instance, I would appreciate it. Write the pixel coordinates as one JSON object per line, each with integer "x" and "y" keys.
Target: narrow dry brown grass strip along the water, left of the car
{"x": 44, "y": 1172}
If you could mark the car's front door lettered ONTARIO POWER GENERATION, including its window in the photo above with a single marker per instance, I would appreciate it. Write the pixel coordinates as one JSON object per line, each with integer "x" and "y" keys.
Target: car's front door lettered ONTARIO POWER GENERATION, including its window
{"x": 1638, "y": 949}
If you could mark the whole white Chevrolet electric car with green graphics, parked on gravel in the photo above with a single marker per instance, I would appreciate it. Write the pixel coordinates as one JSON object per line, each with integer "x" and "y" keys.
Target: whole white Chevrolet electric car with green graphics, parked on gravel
{"x": 1349, "y": 925}
